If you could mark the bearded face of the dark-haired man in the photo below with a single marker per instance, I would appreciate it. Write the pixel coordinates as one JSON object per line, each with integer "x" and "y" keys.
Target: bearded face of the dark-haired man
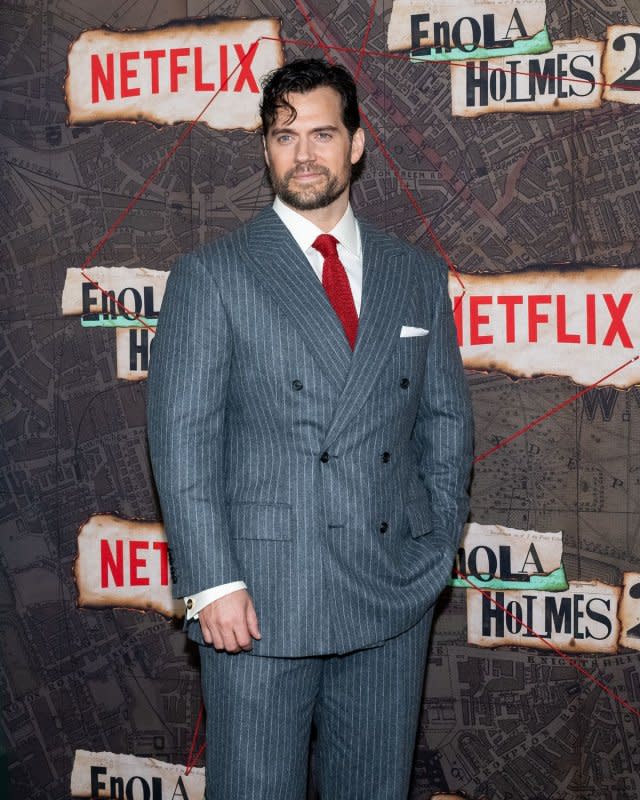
{"x": 310, "y": 158}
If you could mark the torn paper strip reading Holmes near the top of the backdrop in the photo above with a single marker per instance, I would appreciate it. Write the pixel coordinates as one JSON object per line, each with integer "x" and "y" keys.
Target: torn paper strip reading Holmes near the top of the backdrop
{"x": 568, "y": 78}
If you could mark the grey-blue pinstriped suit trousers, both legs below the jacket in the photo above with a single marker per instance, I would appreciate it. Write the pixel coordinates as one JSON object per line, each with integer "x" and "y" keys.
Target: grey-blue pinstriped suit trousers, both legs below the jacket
{"x": 365, "y": 705}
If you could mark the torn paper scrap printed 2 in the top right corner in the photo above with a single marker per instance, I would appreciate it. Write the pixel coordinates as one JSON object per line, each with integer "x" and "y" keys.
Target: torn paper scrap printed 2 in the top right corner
{"x": 621, "y": 64}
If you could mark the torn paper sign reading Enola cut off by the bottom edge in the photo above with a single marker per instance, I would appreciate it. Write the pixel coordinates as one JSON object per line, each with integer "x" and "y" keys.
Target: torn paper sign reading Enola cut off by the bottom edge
{"x": 110, "y": 775}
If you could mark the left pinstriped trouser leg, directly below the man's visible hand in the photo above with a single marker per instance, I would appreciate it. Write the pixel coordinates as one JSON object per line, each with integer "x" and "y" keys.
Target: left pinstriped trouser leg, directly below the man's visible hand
{"x": 259, "y": 714}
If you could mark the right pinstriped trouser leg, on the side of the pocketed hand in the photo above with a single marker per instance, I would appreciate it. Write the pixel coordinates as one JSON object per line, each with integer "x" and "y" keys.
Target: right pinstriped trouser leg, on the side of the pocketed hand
{"x": 367, "y": 718}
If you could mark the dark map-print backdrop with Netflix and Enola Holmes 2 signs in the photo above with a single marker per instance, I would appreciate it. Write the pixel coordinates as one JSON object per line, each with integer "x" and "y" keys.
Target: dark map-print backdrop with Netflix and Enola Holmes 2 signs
{"x": 505, "y": 135}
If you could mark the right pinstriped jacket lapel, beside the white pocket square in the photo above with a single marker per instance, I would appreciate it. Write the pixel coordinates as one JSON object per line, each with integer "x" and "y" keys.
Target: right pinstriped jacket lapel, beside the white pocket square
{"x": 385, "y": 299}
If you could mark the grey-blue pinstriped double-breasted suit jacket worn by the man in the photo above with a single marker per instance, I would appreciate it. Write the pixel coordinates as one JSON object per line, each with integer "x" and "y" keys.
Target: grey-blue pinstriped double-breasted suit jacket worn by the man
{"x": 332, "y": 482}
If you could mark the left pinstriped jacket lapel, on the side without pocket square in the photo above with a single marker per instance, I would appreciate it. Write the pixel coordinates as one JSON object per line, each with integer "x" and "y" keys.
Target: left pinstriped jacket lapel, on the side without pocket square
{"x": 285, "y": 271}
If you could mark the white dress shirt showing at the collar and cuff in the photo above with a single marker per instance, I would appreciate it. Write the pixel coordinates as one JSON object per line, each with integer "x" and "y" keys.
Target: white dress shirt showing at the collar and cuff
{"x": 305, "y": 233}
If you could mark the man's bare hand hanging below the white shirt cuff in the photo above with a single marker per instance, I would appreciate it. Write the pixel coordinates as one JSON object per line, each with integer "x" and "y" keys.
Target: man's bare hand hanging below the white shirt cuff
{"x": 230, "y": 623}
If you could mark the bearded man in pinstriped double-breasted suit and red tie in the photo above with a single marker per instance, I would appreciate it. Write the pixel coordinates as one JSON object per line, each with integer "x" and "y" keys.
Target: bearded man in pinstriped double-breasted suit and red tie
{"x": 309, "y": 428}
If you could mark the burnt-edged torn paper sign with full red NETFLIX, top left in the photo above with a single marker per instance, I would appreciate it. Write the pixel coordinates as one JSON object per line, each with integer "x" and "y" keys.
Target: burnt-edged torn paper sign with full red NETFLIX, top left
{"x": 210, "y": 71}
